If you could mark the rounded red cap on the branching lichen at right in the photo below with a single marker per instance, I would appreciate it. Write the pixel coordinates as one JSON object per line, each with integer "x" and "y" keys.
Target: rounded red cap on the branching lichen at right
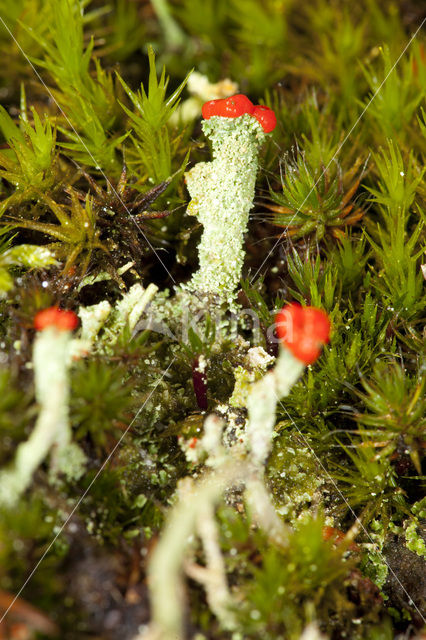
{"x": 303, "y": 330}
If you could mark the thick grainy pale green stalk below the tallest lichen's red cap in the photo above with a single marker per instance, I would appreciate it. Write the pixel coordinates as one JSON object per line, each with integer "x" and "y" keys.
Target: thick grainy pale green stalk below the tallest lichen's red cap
{"x": 222, "y": 193}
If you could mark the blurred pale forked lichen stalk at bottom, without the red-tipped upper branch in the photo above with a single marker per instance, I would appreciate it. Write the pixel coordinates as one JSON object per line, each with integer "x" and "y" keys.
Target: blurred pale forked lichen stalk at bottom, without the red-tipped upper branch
{"x": 193, "y": 514}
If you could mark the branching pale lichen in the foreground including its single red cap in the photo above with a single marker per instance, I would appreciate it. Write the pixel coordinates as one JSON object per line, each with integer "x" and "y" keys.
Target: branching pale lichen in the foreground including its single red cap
{"x": 230, "y": 470}
